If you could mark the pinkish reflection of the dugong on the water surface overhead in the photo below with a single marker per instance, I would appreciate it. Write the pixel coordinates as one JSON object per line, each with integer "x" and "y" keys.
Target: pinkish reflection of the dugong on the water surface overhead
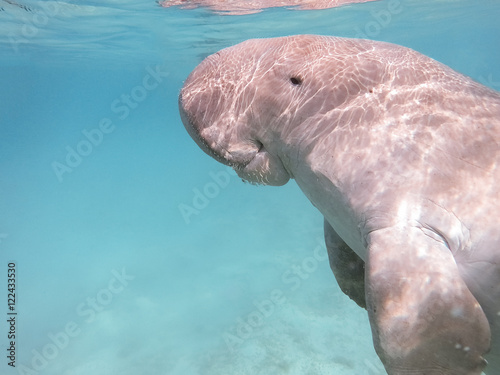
{"x": 239, "y": 7}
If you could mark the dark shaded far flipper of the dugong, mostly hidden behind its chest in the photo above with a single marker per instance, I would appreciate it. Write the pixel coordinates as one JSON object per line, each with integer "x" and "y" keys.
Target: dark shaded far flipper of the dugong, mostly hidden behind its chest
{"x": 347, "y": 266}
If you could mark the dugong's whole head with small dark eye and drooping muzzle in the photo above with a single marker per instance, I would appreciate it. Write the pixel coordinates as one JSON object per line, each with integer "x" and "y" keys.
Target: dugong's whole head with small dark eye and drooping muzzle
{"x": 252, "y": 106}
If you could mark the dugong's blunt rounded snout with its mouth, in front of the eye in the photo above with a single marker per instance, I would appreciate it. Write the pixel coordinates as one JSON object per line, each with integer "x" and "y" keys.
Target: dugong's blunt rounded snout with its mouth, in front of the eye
{"x": 217, "y": 113}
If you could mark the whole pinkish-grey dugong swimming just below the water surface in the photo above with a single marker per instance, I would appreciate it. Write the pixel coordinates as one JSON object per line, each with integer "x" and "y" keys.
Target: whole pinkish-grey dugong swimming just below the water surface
{"x": 401, "y": 155}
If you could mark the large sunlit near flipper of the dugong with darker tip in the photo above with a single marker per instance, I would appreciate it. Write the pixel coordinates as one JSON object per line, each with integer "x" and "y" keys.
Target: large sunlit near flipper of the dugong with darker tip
{"x": 424, "y": 318}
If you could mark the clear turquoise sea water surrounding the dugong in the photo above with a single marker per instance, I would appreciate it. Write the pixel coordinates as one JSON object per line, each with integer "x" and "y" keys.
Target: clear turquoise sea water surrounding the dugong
{"x": 136, "y": 253}
